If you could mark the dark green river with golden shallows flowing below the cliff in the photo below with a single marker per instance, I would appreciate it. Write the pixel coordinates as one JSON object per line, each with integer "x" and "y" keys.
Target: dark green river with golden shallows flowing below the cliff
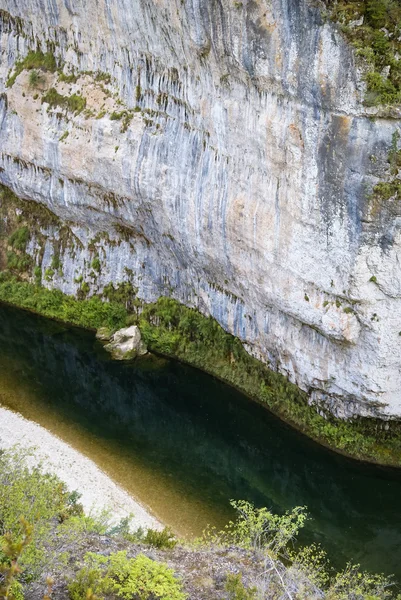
{"x": 185, "y": 443}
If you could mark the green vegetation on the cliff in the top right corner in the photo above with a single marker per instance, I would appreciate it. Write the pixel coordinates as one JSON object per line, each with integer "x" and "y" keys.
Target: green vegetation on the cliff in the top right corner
{"x": 377, "y": 39}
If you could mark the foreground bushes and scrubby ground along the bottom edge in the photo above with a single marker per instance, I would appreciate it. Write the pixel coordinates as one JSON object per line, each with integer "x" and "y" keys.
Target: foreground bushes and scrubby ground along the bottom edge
{"x": 47, "y": 541}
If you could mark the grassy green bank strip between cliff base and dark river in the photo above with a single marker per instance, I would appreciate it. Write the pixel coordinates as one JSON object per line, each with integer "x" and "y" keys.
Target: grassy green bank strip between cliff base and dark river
{"x": 174, "y": 330}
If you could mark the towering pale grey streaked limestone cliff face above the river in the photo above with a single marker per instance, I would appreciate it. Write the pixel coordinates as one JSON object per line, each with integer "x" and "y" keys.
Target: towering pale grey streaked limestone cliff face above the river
{"x": 239, "y": 183}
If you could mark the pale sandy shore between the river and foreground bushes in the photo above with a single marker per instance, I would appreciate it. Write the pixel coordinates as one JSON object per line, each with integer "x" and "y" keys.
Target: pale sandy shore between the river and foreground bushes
{"x": 76, "y": 470}
